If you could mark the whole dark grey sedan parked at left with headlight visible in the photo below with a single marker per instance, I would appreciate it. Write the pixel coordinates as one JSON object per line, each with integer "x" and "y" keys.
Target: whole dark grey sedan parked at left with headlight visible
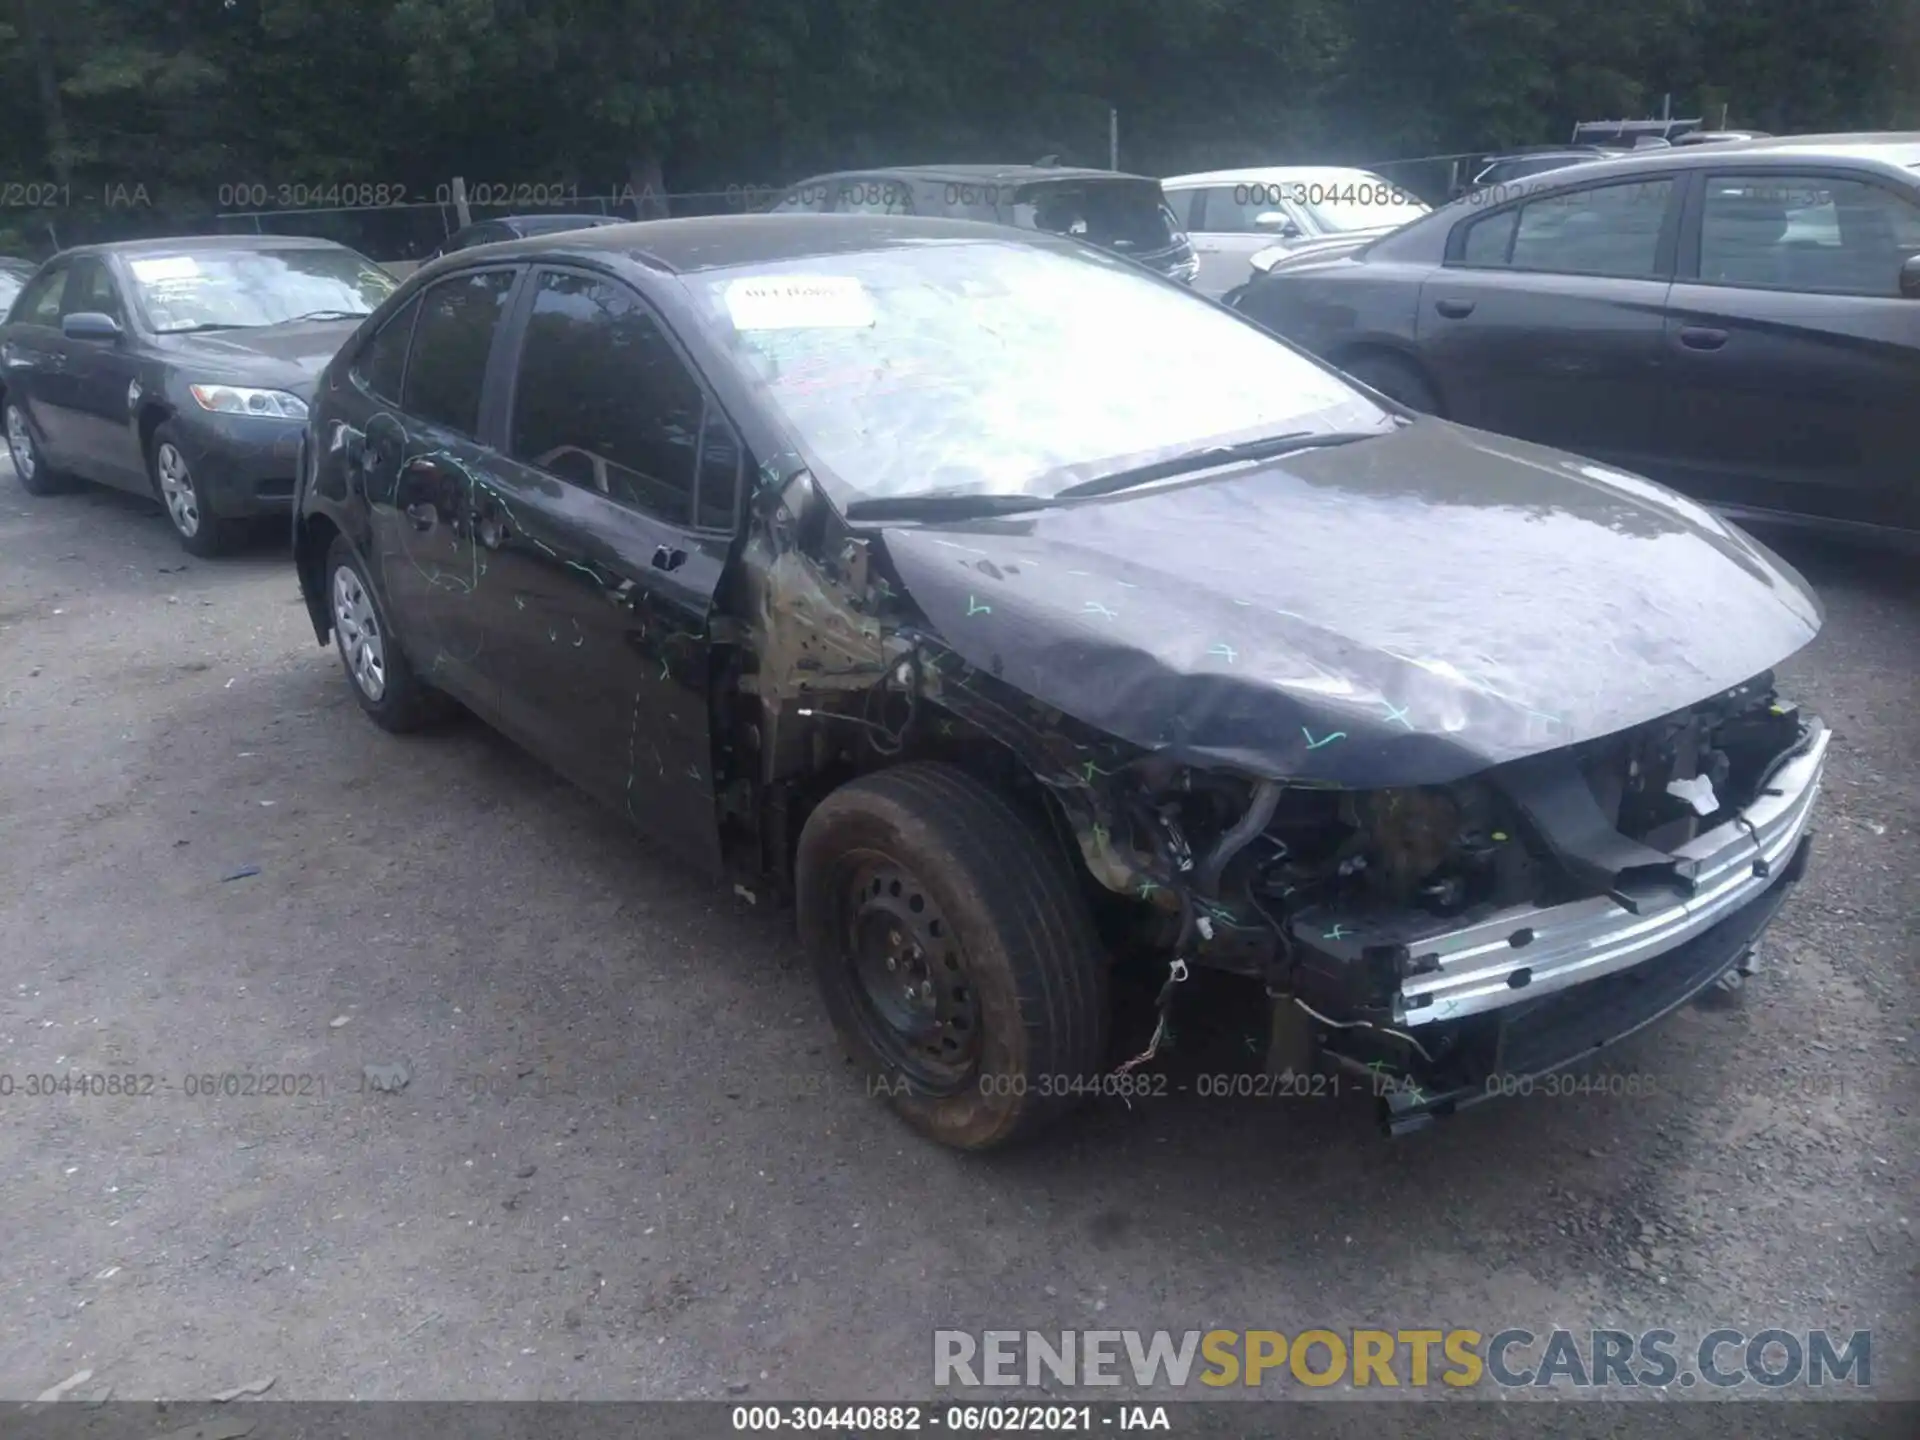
{"x": 180, "y": 368}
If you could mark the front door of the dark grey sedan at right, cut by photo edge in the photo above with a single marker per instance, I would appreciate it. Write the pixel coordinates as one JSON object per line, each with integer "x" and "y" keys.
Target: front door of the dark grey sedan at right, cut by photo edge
{"x": 1794, "y": 356}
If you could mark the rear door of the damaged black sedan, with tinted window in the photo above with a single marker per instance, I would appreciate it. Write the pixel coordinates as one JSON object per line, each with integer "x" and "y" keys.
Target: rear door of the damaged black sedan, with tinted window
{"x": 425, "y": 466}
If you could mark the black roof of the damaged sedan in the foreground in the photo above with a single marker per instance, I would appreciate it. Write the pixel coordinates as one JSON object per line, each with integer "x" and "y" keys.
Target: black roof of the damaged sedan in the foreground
{"x": 711, "y": 243}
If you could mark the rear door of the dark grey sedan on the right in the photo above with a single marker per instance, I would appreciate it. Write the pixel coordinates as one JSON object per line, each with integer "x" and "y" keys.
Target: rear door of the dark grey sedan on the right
{"x": 1547, "y": 318}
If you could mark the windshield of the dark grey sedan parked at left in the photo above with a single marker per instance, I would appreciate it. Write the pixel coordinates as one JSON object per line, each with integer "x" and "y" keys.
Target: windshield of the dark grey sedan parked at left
{"x": 251, "y": 289}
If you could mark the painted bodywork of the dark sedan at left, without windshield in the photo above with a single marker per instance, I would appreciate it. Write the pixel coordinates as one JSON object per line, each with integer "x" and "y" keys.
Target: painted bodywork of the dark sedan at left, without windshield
{"x": 95, "y": 404}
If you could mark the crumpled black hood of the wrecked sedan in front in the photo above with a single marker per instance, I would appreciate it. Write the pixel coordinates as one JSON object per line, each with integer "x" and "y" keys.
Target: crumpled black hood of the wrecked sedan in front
{"x": 1399, "y": 612}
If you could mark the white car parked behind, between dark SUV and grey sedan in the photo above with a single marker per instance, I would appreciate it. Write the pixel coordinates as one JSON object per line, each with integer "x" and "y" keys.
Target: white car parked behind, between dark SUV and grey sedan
{"x": 1232, "y": 216}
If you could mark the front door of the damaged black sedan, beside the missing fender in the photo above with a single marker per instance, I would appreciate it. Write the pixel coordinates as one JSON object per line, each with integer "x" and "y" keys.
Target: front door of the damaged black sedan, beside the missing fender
{"x": 612, "y": 531}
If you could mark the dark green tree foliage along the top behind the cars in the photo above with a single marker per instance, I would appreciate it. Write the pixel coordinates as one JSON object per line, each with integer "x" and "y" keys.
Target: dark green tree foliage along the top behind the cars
{"x": 151, "y": 112}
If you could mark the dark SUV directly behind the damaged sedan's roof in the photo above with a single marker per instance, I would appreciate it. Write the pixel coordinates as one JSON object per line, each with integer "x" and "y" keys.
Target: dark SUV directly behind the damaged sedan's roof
{"x": 1126, "y": 214}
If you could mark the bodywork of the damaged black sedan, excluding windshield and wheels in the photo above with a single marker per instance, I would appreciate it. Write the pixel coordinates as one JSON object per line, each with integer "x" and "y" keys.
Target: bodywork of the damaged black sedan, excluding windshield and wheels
{"x": 1237, "y": 700}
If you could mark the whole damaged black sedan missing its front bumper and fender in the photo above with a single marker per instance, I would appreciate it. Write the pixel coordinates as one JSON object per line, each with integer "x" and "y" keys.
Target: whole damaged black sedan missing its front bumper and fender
{"x": 1030, "y": 621}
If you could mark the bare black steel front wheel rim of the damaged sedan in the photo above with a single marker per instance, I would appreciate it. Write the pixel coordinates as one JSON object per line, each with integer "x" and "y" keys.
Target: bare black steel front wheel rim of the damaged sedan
{"x": 911, "y": 980}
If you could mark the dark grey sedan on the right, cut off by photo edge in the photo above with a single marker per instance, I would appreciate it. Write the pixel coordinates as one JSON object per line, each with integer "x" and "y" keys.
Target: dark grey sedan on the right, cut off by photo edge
{"x": 1735, "y": 320}
